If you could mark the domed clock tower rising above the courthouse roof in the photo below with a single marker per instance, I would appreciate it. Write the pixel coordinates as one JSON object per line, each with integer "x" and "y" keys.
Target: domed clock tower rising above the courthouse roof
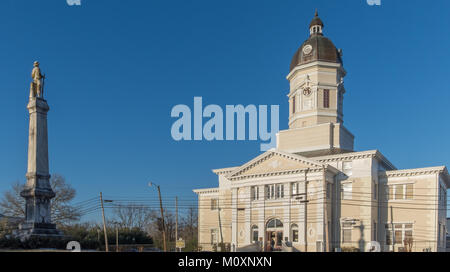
{"x": 316, "y": 113}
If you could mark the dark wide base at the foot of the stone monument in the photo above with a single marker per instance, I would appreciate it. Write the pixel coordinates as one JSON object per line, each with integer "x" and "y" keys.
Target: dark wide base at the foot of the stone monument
{"x": 29, "y": 230}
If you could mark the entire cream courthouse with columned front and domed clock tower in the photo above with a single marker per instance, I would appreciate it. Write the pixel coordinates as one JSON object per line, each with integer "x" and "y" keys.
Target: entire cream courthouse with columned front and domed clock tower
{"x": 314, "y": 192}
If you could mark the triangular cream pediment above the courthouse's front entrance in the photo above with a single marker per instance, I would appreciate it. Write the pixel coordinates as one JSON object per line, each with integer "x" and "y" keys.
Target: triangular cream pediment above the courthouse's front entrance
{"x": 274, "y": 162}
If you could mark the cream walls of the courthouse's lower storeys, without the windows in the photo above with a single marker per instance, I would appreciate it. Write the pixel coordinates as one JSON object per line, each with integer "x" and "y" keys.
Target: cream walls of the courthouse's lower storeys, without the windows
{"x": 423, "y": 211}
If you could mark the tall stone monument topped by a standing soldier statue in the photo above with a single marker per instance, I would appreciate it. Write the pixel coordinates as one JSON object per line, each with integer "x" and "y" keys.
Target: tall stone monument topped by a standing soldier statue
{"x": 38, "y": 192}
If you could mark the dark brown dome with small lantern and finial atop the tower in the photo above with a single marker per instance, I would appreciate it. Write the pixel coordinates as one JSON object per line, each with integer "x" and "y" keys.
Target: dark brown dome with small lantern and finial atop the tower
{"x": 317, "y": 47}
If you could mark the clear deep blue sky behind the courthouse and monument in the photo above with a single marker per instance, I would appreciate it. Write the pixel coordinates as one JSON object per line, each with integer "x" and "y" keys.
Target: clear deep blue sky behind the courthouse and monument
{"x": 116, "y": 68}
